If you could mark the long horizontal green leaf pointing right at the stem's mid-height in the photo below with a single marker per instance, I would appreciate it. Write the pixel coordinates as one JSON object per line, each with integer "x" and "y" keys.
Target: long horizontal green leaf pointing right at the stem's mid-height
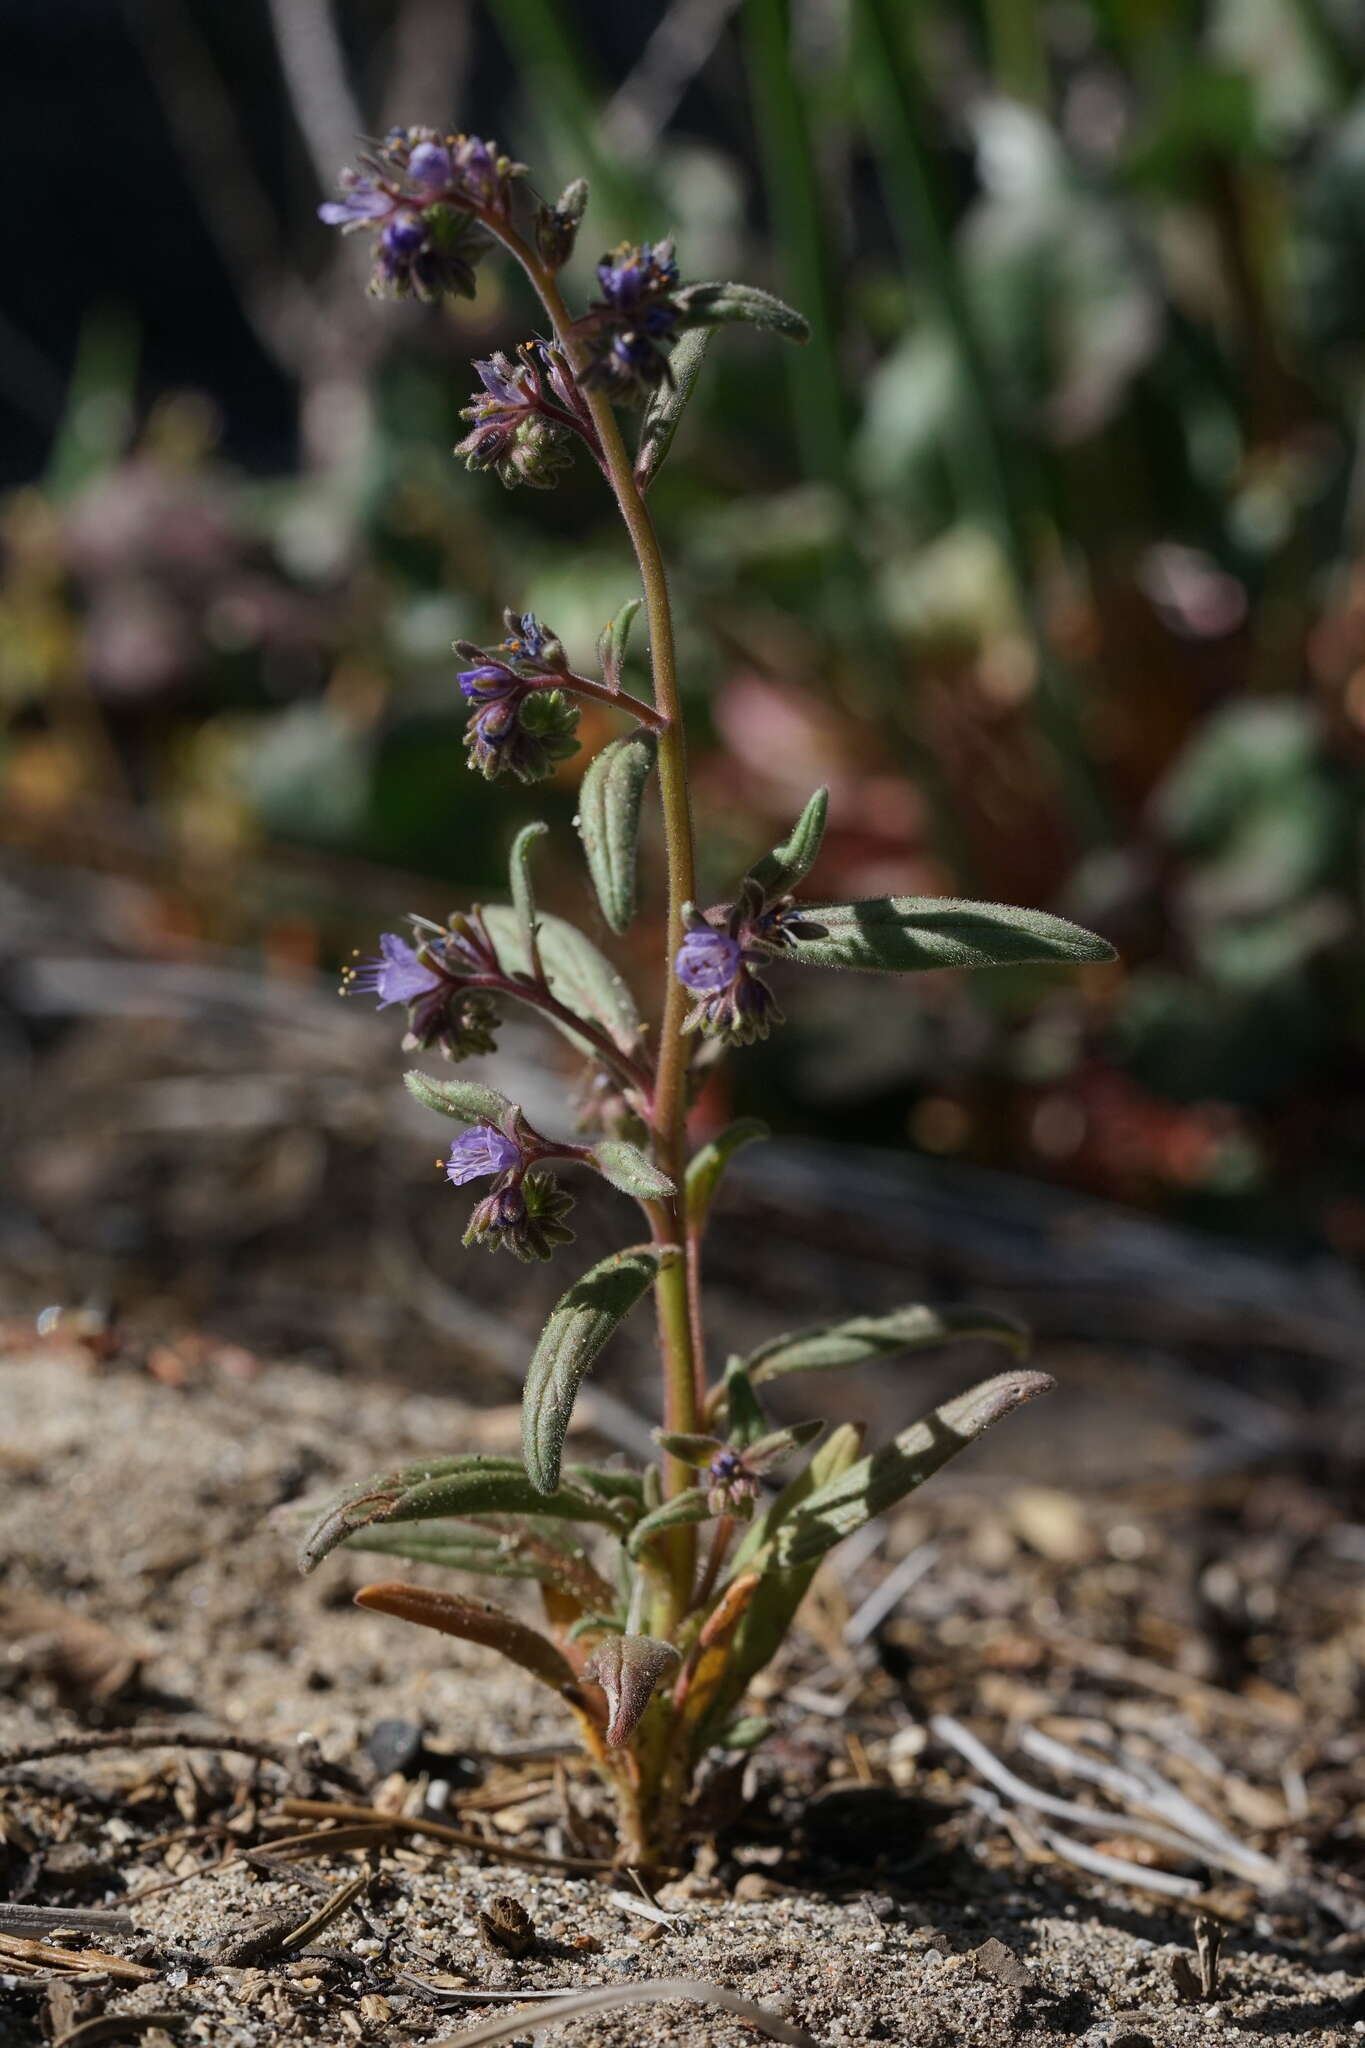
{"x": 906, "y": 935}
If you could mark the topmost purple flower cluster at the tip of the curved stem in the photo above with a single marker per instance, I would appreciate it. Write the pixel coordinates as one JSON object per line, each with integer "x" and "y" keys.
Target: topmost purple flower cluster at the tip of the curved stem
{"x": 427, "y": 196}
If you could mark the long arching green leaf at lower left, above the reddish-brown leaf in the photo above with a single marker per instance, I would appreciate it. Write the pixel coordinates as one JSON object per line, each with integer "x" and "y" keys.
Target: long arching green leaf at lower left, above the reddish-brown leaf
{"x": 443, "y": 1488}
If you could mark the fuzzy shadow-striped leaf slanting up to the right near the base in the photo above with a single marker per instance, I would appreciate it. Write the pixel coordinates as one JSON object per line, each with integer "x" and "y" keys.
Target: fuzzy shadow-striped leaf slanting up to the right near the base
{"x": 879, "y": 1482}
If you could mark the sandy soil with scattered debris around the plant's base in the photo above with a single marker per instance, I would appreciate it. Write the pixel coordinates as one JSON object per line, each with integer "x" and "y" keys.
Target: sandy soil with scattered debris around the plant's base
{"x": 856, "y": 1889}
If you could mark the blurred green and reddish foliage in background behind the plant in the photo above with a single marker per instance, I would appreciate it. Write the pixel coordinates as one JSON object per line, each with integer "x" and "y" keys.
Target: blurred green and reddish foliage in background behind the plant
{"x": 1047, "y": 556}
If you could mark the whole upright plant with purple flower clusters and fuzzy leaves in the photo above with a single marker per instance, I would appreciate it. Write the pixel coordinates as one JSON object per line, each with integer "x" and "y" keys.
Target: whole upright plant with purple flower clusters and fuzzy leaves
{"x": 652, "y": 1650}
